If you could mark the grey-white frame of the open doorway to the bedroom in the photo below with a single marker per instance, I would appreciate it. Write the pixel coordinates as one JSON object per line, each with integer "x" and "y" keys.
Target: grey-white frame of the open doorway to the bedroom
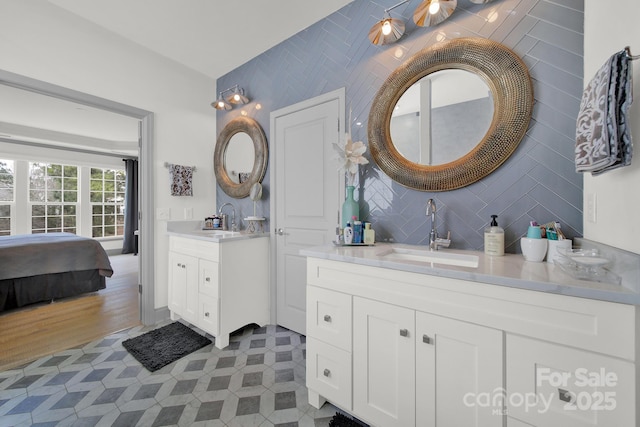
{"x": 145, "y": 157}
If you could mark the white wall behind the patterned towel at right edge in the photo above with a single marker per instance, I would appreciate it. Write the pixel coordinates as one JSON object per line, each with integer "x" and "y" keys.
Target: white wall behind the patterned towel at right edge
{"x": 608, "y": 29}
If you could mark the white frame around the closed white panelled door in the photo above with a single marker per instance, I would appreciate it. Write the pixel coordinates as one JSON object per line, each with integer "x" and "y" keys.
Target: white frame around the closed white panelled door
{"x": 340, "y": 95}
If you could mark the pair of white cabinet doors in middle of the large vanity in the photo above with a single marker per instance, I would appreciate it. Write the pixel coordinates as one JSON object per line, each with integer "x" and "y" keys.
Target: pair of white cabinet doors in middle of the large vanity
{"x": 414, "y": 368}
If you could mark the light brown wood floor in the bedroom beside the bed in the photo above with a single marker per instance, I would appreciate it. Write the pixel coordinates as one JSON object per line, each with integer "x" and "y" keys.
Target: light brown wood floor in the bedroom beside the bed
{"x": 32, "y": 332}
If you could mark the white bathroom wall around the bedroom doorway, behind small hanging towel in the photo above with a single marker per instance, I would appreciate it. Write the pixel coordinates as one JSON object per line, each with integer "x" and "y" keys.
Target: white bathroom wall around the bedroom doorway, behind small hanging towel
{"x": 41, "y": 41}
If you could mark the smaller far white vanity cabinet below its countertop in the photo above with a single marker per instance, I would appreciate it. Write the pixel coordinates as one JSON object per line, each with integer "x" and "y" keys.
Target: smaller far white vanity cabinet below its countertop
{"x": 219, "y": 286}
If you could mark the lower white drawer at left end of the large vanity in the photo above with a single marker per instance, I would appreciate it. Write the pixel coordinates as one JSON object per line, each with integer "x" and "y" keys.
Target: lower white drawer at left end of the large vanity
{"x": 329, "y": 372}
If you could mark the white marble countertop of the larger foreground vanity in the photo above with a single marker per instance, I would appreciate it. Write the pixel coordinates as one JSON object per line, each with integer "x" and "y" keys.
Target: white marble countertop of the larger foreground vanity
{"x": 509, "y": 270}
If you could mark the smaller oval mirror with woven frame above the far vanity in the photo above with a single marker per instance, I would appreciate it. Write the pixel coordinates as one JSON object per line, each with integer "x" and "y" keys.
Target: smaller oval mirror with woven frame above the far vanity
{"x": 234, "y": 153}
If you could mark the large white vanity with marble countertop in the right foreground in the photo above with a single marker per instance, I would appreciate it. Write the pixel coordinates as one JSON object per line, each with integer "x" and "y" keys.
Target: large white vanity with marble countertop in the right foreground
{"x": 484, "y": 342}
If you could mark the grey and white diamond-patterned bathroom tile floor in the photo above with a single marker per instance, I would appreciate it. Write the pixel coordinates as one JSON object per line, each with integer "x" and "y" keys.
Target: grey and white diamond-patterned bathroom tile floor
{"x": 258, "y": 380}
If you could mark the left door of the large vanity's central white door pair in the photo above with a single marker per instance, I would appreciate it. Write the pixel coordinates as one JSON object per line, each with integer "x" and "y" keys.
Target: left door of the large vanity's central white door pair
{"x": 383, "y": 363}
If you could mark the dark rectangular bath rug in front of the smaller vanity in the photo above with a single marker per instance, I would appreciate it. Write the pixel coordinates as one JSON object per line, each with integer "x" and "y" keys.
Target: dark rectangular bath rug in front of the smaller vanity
{"x": 162, "y": 346}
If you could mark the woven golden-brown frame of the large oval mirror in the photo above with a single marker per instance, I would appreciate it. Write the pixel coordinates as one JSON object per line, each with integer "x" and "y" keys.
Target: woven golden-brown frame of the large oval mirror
{"x": 511, "y": 90}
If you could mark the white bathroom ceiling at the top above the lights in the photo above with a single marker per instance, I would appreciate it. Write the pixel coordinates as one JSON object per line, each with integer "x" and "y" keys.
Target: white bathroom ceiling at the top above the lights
{"x": 209, "y": 36}
